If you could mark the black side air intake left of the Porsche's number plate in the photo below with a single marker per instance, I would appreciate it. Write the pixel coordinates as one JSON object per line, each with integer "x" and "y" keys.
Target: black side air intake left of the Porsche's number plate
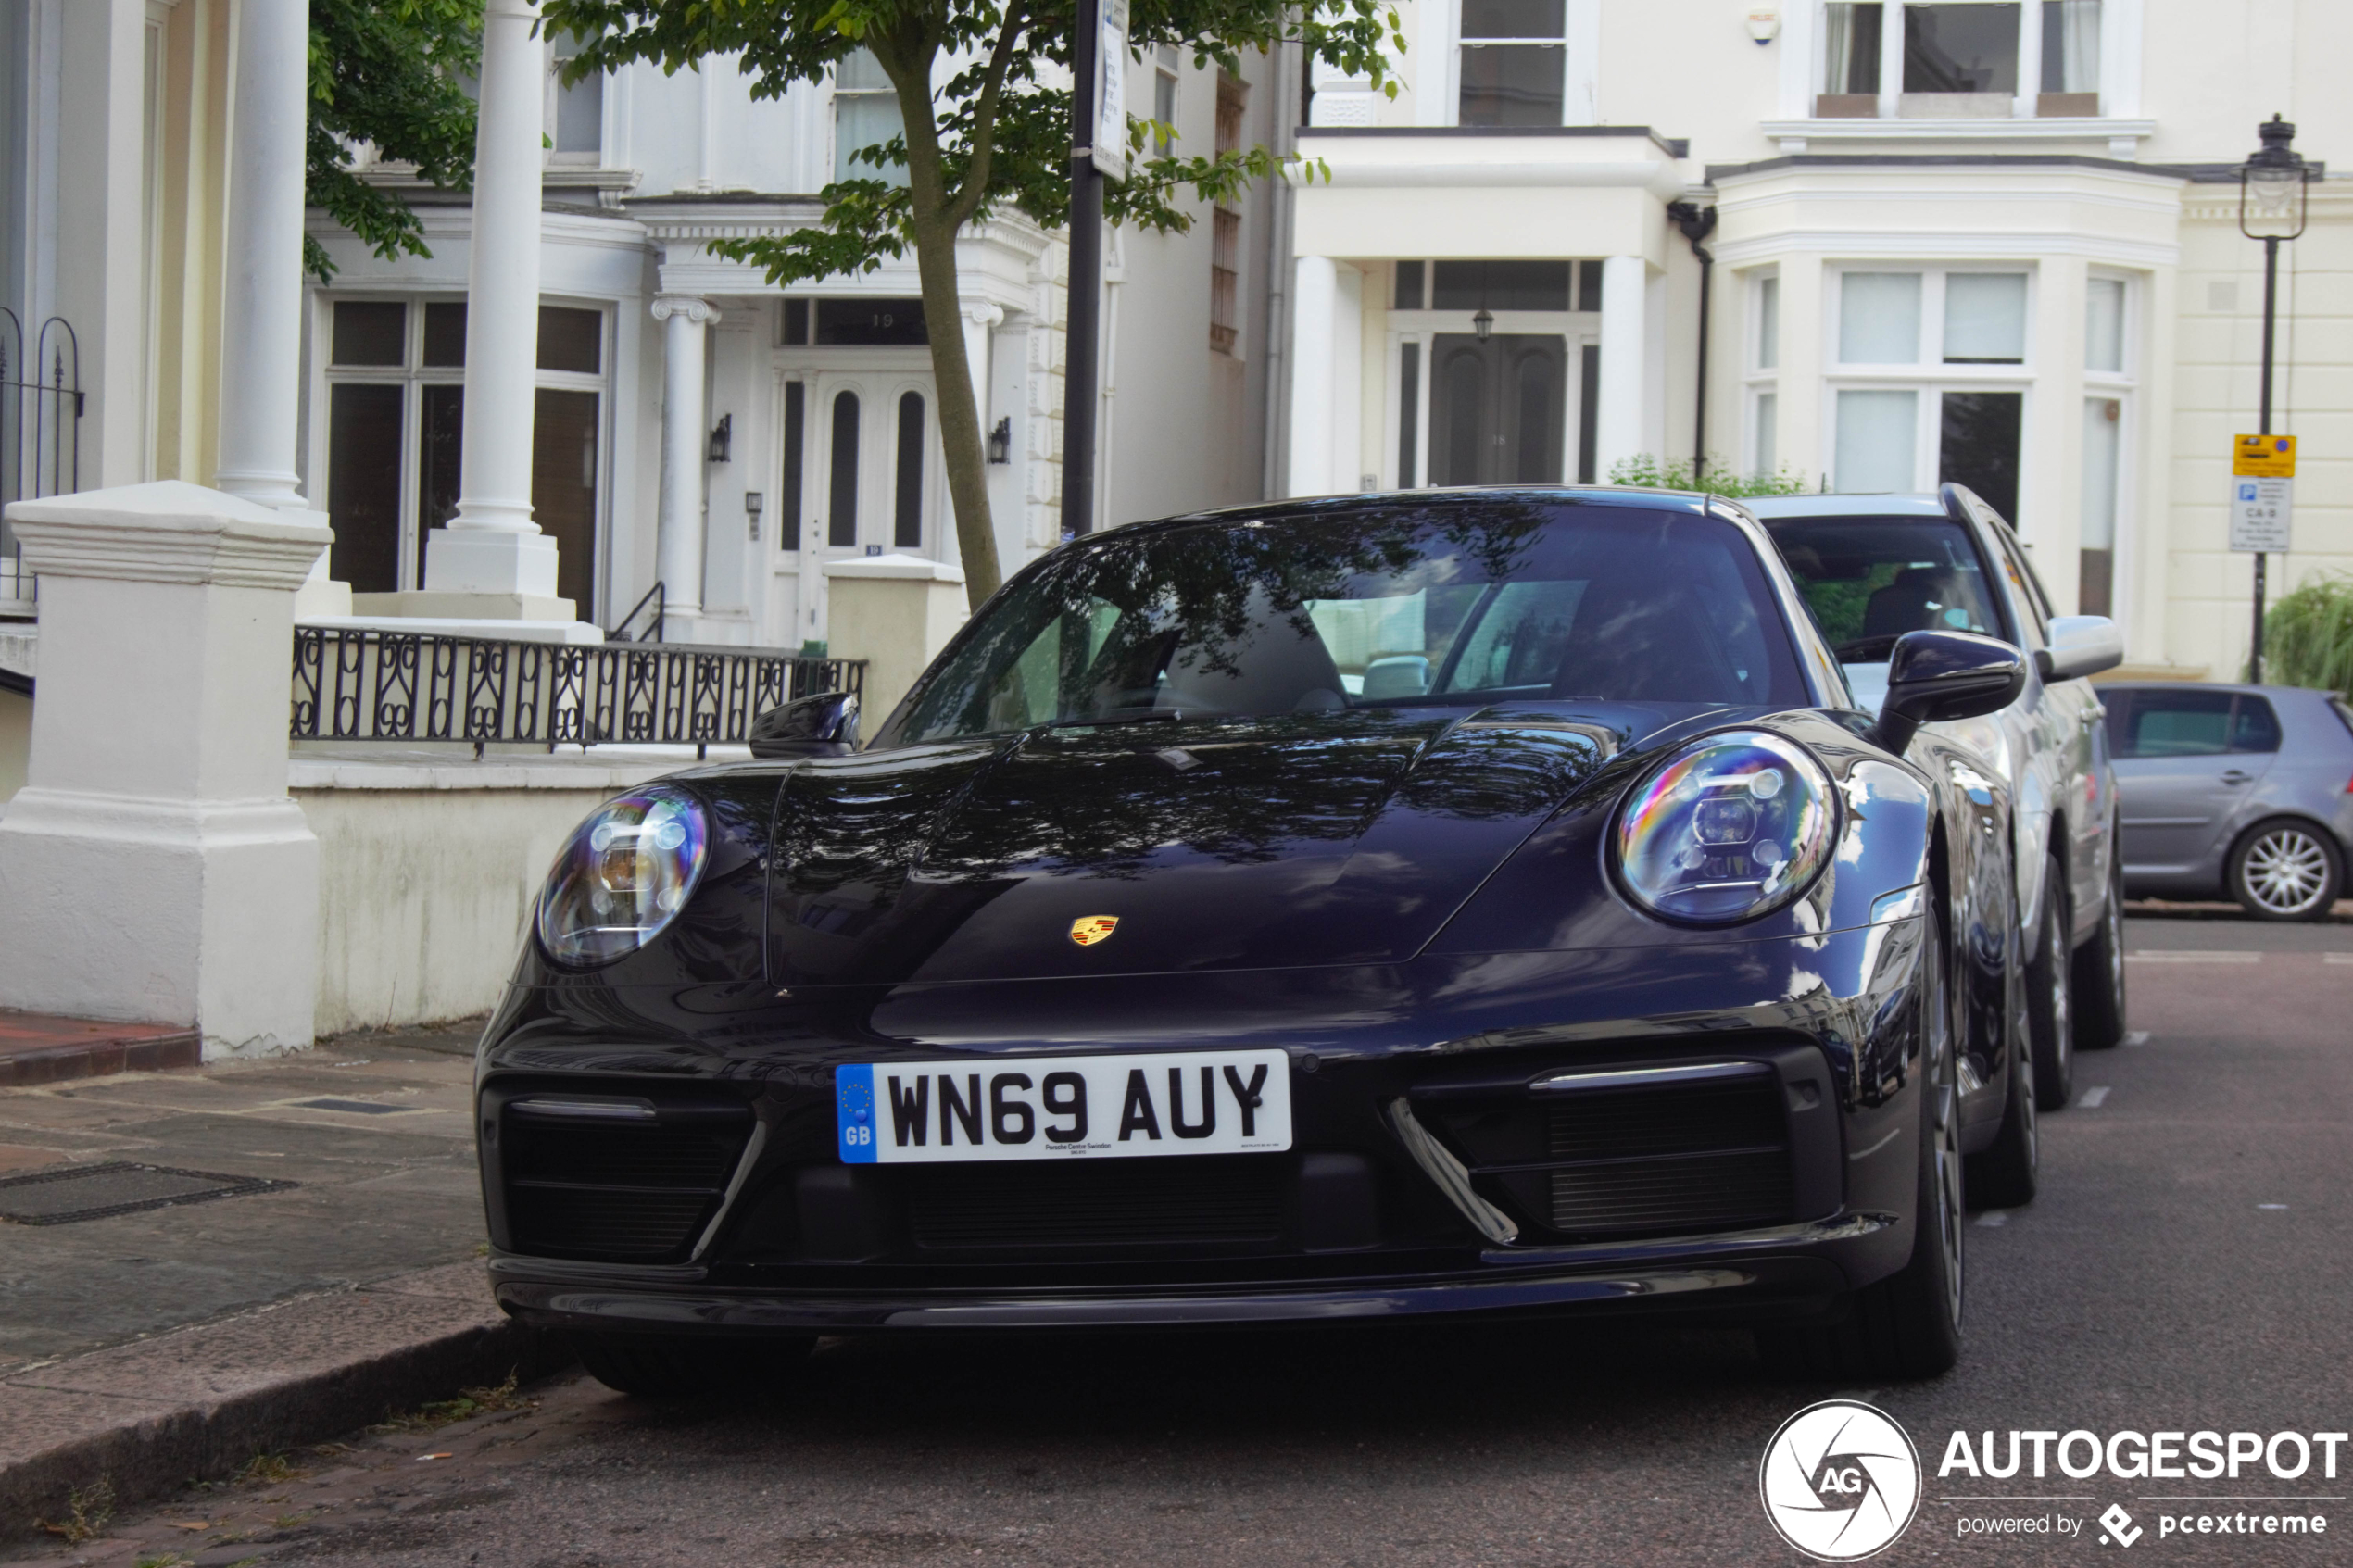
{"x": 627, "y": 1191}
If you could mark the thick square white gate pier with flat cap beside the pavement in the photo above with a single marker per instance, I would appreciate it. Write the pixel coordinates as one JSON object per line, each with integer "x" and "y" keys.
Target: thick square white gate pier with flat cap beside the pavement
{"x": 154, "y": 866}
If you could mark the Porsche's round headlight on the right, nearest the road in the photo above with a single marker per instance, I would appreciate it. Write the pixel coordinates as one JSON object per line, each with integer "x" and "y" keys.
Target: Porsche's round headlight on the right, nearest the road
{"x": 1728, "y": 829}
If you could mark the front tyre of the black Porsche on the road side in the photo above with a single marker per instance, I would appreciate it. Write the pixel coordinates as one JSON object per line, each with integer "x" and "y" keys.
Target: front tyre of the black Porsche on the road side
{"x": 1907, "y": 1325}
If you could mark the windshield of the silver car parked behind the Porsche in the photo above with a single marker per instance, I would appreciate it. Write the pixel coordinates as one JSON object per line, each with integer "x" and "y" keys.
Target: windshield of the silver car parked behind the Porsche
{"x": 1872, "y": 579}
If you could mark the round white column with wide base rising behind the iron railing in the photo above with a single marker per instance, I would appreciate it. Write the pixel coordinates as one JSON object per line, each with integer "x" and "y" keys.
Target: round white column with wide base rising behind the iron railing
{"x": 493, "y": 547}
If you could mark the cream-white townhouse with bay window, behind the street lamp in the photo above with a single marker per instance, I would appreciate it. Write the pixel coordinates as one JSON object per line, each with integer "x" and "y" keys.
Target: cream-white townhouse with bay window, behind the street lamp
{"x": 1985, "y": 241}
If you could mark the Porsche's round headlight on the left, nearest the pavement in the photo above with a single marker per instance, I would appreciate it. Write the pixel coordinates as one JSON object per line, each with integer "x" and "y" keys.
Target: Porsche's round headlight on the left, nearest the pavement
{"x": 622, "y": 878}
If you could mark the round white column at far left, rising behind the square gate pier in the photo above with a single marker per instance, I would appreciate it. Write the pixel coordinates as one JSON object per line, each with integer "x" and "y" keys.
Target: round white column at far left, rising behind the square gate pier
{"x": 262, "y": 293}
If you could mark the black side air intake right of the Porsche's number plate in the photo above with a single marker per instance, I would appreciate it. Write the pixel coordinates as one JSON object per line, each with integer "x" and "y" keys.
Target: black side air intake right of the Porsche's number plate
{"x": 1632, "y": 1162}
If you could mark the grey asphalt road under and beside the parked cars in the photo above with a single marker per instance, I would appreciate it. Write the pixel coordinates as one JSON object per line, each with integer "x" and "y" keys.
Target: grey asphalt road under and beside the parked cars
{"x": 2189, "y": 1266}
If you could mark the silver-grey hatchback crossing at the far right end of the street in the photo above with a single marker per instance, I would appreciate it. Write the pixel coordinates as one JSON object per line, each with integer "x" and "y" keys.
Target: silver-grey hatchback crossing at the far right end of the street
{"x": 2237, "y": 791}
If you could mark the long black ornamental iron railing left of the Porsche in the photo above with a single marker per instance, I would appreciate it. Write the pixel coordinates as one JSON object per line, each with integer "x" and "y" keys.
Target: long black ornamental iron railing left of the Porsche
{"x": 415, "y": 688}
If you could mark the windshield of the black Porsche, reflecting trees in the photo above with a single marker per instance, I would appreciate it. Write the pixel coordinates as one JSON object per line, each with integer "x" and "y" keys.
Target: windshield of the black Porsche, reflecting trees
{"x": 1375, "y": 608}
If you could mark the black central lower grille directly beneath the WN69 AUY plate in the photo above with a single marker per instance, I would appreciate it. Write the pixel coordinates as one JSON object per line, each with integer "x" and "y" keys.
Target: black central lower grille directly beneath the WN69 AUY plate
{"x": 1098, "y": 1205}
